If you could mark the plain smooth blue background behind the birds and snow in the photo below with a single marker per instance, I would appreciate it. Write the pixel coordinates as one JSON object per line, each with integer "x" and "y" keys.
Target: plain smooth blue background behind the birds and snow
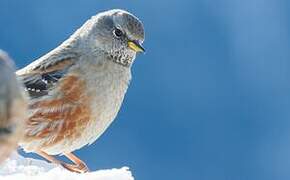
{"x": 209, "y": 100}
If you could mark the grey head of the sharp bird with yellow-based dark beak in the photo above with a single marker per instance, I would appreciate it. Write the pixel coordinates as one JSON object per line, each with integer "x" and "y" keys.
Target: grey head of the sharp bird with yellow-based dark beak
{"x": 117, "y": 33}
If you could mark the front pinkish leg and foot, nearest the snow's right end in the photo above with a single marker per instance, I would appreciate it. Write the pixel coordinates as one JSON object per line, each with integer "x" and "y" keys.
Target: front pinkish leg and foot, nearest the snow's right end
{"x": 78, "y": 166}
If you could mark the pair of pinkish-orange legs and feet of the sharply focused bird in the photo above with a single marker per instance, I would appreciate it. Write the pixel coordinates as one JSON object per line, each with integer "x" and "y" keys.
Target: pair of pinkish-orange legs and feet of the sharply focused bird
{"x": 78, "y": 166}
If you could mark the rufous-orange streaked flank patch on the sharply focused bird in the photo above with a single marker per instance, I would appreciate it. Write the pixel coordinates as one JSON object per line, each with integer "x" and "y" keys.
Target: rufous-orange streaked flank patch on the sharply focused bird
{"x": 71, "y": 110}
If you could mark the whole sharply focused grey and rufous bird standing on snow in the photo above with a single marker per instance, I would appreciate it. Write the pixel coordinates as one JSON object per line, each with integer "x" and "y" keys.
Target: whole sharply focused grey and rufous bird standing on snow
{"x": 77, "y": 89}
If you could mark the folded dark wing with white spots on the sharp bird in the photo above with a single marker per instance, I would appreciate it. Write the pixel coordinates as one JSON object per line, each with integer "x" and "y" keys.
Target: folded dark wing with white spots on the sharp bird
{"x": 42, "y": 75}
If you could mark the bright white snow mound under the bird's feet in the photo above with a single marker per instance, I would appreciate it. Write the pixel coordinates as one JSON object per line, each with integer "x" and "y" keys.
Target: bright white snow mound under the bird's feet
{"x": 18, "y": 167}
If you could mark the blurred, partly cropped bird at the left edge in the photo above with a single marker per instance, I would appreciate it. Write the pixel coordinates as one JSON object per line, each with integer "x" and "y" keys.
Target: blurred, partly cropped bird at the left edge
{"x": 12, "y": 107}
